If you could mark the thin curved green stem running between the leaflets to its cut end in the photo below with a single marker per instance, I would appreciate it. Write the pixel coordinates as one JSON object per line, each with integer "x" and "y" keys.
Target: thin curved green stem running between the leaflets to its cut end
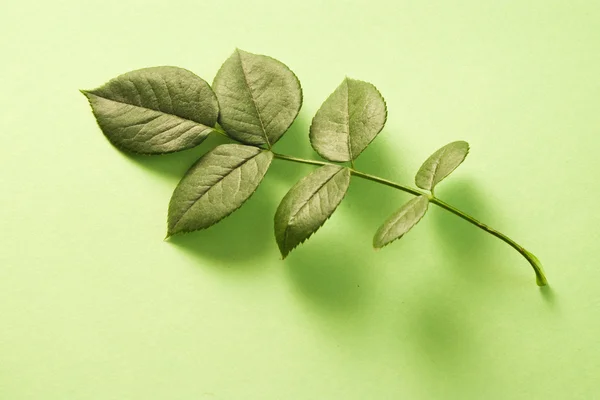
{"x": 535, "y": 263}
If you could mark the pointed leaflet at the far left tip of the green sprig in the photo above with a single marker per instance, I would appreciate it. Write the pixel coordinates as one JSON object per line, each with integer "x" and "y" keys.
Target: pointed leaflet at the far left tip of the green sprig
{"x": 155, "y": 110}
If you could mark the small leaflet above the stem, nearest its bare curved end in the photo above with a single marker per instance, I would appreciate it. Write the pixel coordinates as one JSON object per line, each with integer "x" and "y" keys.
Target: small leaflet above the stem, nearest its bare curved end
{"x": 440, "y": 164}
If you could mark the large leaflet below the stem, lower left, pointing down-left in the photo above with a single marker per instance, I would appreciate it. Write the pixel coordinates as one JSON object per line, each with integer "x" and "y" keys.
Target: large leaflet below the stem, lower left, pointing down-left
{"x": 218, "y": 184}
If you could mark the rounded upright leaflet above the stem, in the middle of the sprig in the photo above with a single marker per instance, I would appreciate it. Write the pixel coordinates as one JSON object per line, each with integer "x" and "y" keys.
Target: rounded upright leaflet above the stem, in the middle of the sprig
{"x": 348, "y": 121}
